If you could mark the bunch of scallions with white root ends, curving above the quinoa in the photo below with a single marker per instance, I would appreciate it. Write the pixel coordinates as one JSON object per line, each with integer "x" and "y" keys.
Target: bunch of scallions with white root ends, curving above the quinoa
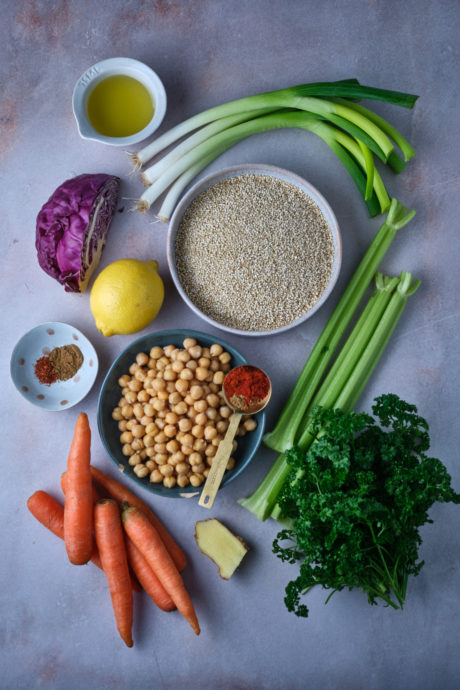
{"x": 329, "y": 109}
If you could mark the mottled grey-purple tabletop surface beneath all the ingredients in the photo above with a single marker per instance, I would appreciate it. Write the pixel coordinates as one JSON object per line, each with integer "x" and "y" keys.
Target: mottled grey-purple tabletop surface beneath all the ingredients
{"x": 56, "y": 627}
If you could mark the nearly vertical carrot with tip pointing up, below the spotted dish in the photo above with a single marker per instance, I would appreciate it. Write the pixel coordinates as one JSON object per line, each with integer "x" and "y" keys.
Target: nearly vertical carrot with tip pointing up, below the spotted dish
{"x": 78, "y": 508}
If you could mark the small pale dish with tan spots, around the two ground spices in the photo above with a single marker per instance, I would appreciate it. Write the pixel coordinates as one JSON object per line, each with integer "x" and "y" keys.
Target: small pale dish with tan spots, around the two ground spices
{"x": 60, "y": 395}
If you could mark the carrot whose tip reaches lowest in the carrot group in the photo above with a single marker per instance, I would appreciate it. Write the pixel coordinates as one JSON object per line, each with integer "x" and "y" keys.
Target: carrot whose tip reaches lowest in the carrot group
{"x": 111, "y": 544}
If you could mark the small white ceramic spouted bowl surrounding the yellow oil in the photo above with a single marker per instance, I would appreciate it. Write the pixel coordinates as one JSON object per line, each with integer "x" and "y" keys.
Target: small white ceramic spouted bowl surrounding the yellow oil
{"x": 108, "y": 68}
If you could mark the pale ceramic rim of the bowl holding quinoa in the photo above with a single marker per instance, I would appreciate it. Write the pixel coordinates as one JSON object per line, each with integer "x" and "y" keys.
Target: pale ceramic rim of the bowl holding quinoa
{"x": 281, "y": 174}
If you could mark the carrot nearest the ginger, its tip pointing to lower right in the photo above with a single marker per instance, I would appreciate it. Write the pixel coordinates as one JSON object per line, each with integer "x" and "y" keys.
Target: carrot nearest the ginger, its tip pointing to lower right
{"x": 148, "y": 541}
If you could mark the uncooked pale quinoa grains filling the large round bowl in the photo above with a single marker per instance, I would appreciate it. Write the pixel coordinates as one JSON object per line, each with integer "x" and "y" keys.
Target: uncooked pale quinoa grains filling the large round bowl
{"x": 254, "y": 252}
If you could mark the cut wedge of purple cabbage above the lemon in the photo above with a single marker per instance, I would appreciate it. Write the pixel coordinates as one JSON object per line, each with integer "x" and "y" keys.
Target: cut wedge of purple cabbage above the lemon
{"x": 72, "y": 228}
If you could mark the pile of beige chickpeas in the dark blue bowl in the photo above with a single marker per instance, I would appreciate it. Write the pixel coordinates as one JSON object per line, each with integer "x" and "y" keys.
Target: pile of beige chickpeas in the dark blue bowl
{"x": 172, "y": 414}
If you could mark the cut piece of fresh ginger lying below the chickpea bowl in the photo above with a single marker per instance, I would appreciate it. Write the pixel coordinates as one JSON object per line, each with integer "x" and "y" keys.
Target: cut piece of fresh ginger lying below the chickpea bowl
{"x": 222, "y": 546}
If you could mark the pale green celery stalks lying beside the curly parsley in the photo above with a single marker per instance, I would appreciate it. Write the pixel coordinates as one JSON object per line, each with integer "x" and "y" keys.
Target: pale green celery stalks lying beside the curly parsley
{"x": 338, "y": 383}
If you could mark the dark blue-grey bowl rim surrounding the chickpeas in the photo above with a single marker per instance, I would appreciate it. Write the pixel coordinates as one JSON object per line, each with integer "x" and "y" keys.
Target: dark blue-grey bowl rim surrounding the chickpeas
{"x": 176, "y": 492}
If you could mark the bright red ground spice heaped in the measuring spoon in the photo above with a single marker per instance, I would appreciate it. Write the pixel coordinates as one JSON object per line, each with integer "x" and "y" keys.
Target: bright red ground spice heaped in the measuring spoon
{"x": 246, "y": 387}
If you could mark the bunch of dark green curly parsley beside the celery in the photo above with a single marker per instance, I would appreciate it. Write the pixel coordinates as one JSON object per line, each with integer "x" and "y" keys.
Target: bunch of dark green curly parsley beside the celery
{"x": 355, "y": 501}
